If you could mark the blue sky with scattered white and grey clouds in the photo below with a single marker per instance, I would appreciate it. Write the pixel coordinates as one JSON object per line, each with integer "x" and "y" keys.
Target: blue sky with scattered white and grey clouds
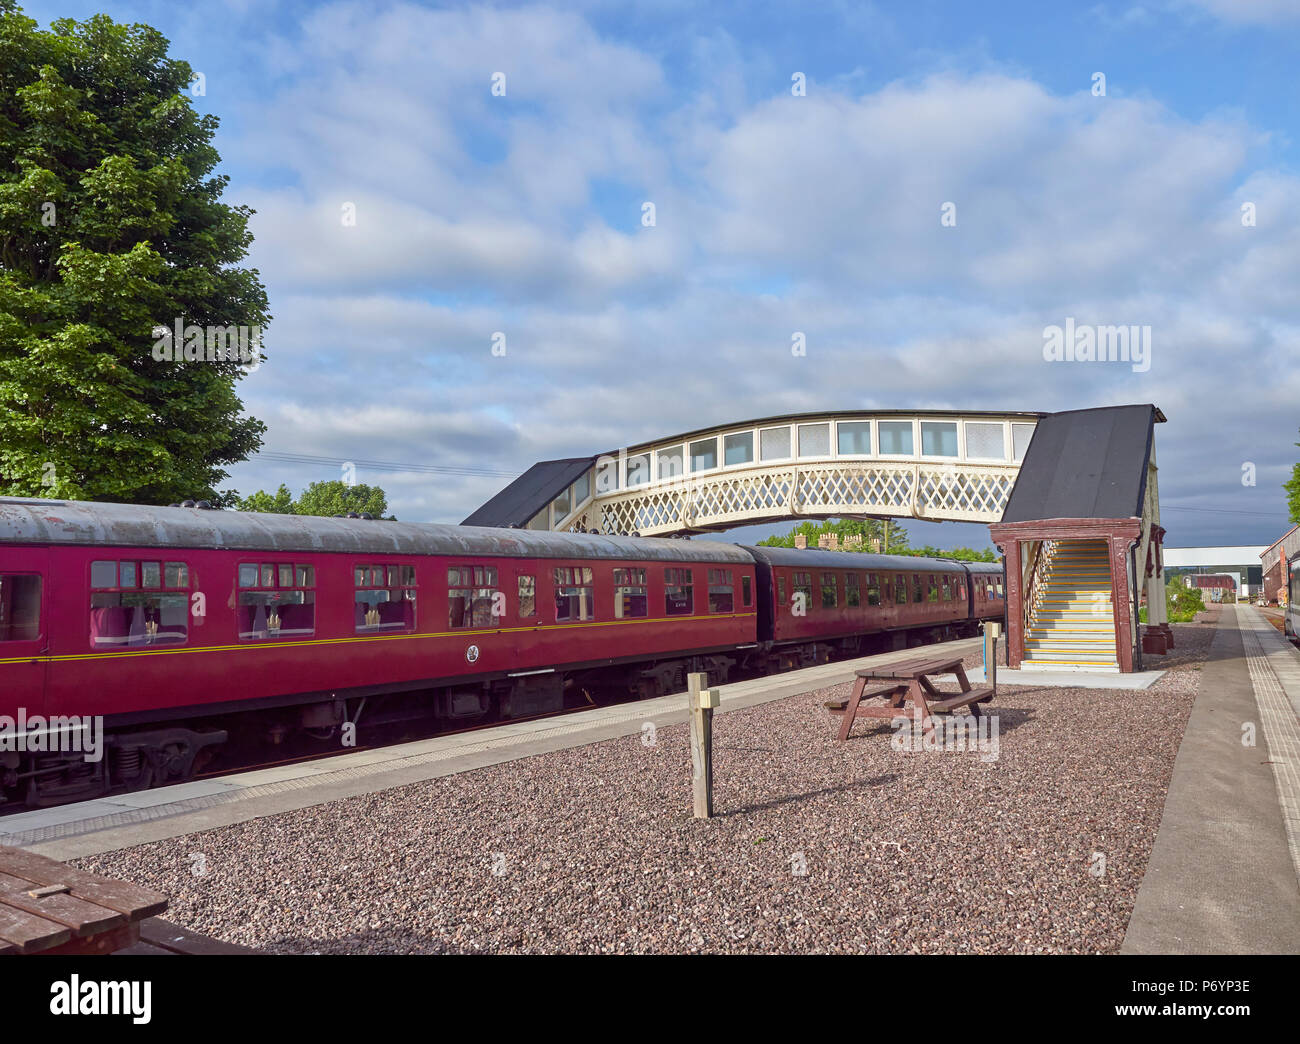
{"x": 774, "y": 214}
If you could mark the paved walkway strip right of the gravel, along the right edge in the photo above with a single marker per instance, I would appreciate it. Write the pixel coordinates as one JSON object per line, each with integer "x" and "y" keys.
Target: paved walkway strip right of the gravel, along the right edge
{"x": 1225, "y": 867}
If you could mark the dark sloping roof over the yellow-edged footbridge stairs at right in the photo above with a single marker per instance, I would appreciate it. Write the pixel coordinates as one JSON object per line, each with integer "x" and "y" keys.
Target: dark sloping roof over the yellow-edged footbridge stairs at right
{"x": 1086, "y": 465}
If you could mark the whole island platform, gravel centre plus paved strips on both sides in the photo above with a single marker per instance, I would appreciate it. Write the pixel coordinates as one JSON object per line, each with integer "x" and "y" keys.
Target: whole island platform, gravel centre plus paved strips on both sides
{"x": 1201, "y": 830}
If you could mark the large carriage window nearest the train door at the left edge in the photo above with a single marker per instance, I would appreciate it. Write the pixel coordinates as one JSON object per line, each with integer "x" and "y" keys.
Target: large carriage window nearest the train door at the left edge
{"x": 125, "y": 617}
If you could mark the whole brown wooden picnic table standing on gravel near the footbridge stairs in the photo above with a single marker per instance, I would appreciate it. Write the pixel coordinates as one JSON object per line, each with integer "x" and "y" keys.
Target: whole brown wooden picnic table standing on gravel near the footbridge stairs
{"x": 908, "y": 692}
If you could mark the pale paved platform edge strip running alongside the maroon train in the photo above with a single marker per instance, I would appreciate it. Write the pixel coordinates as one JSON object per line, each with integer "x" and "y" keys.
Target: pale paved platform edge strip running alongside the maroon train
{"x": 124, "y": 821}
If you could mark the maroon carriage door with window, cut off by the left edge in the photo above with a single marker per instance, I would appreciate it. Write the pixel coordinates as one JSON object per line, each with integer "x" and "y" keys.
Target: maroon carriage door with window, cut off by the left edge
{"x": 24, "y": 630}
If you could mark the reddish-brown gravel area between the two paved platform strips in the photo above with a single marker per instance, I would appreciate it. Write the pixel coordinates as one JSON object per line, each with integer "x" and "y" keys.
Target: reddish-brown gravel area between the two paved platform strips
{"x": 817, "y": 847}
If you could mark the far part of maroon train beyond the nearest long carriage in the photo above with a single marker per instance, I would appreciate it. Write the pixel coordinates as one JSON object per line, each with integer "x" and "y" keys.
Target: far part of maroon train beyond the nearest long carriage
{"x": 813, "y": 605}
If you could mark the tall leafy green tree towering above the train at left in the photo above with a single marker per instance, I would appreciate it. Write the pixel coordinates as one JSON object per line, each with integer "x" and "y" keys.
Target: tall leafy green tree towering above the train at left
{"x": 112, "y": 226}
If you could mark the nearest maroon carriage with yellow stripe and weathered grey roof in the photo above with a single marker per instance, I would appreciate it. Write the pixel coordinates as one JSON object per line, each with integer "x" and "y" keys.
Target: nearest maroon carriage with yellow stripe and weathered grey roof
{"x": 168, "y": 622}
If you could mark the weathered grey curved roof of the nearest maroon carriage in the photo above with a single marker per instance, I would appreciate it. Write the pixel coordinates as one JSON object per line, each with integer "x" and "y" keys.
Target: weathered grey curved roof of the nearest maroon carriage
{"x": 132, "y": 526}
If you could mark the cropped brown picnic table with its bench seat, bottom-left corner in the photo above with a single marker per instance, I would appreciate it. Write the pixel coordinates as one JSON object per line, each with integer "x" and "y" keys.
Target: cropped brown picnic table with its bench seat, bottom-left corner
{"x": 50, "y": 908}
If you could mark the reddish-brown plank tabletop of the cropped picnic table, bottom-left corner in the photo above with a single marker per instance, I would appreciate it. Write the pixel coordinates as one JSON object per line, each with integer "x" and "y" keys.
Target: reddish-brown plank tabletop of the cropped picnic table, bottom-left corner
{"x": 47, "y": 904}
